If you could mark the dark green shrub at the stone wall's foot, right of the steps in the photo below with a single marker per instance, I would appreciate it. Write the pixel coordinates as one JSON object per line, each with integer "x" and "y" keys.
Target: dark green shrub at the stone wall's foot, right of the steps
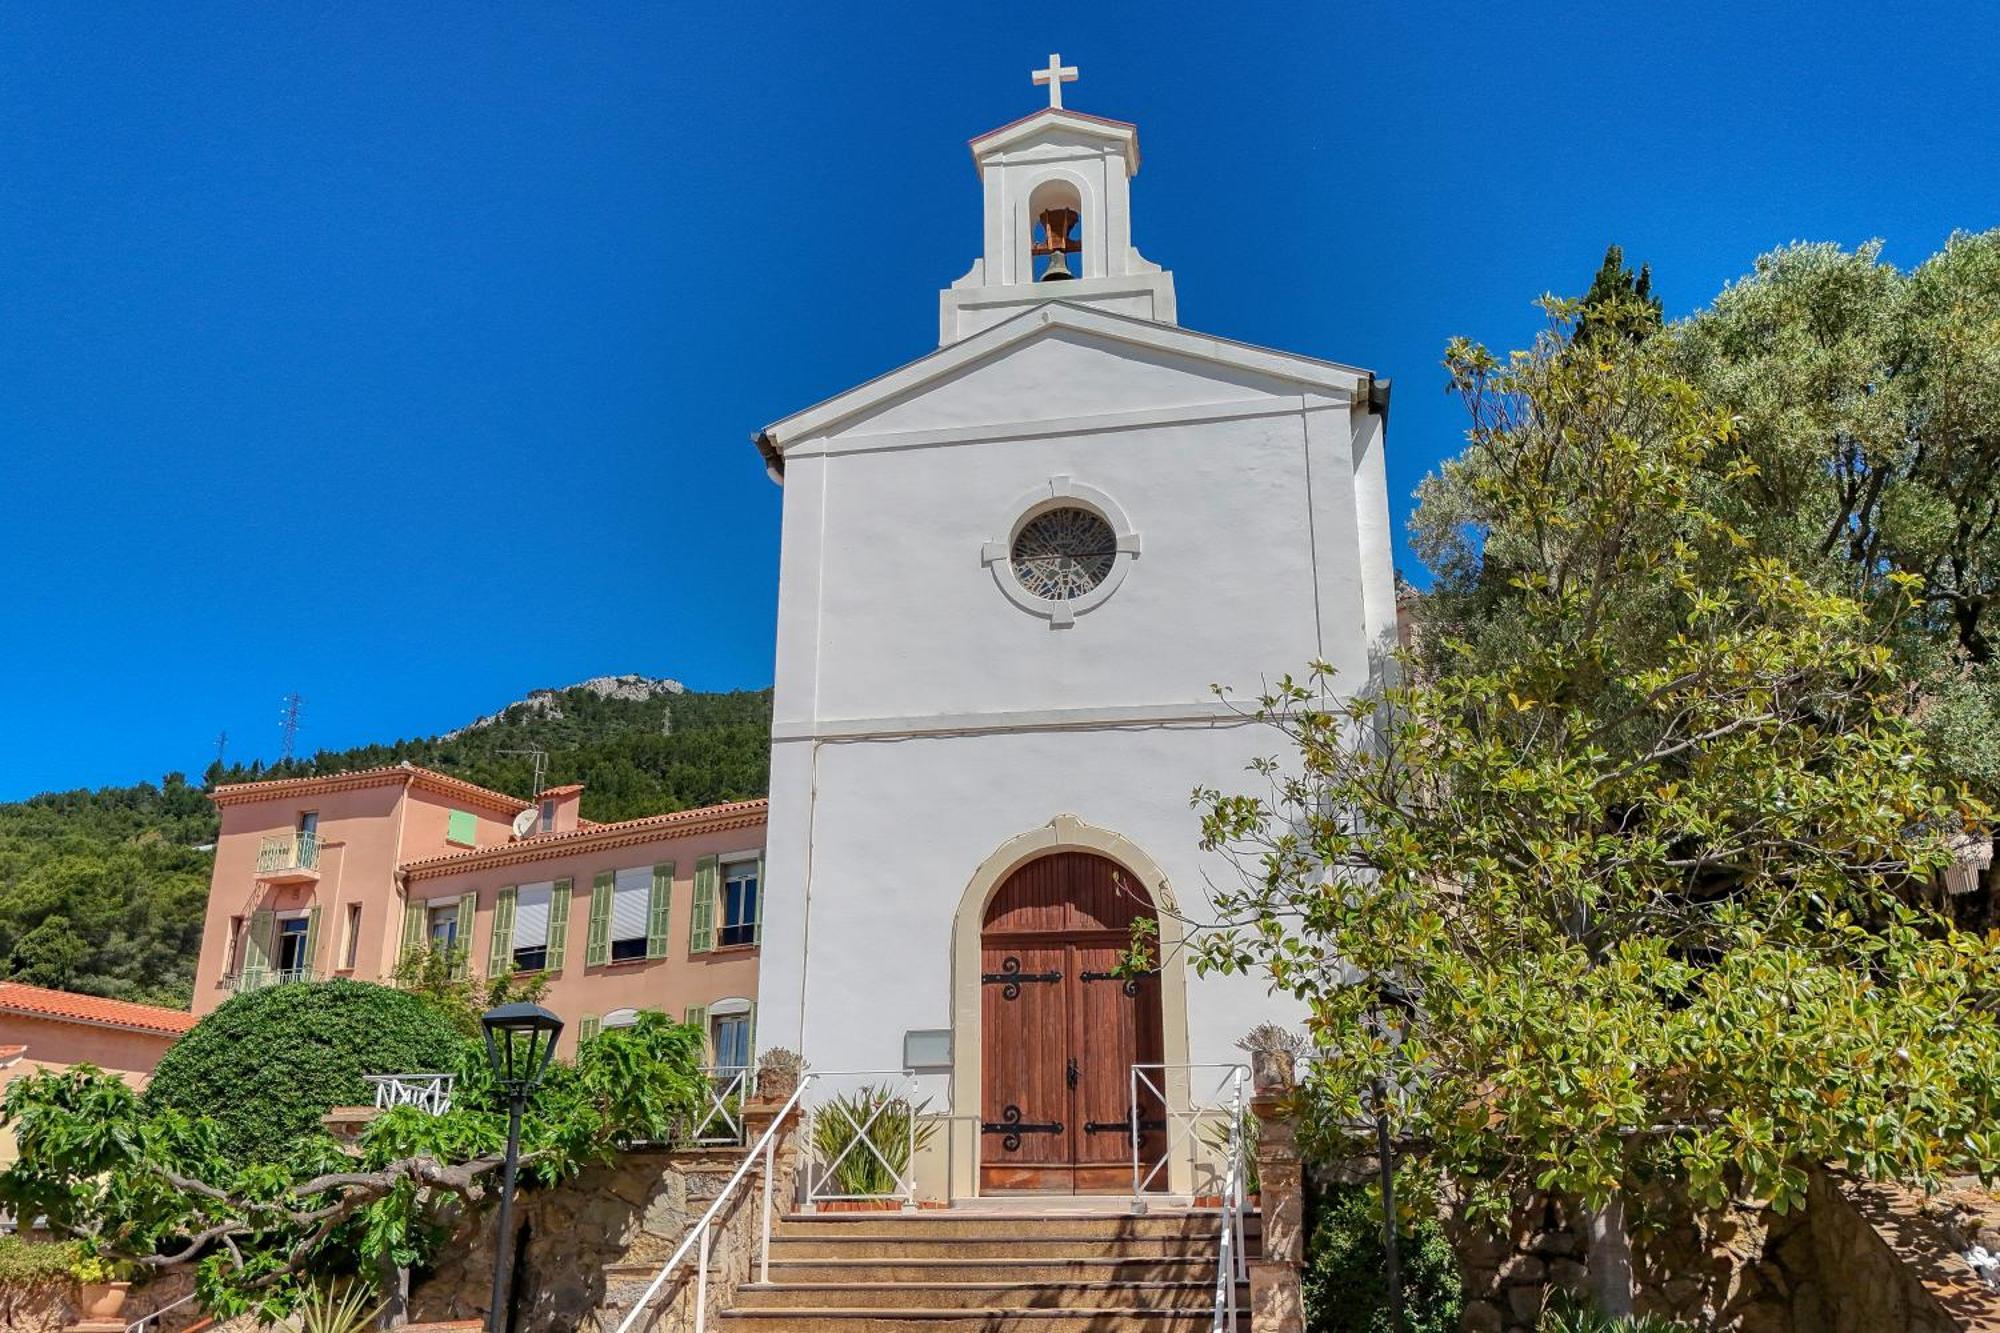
{"x": 1345, "y": 1290}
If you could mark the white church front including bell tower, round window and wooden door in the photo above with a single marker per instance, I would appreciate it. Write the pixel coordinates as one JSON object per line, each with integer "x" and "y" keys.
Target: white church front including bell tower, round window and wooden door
{"x": 1011, "y": 575}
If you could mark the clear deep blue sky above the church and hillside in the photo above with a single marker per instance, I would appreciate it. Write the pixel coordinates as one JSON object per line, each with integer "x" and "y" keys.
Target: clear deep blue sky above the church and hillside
{"x": 407, "y": 357}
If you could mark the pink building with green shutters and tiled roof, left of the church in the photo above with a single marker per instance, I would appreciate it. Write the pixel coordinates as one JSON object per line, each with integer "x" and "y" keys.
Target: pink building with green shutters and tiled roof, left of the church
{"x": 343, "y": 876}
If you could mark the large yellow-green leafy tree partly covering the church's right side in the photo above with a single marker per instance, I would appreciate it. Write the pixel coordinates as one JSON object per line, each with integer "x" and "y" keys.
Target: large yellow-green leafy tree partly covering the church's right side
{"x": 1633, "y": 842}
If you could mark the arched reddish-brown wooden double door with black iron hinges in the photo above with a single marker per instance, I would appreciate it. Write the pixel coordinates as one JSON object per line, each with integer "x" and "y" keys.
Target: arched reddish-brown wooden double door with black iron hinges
{"x": 1061, "y": 1032}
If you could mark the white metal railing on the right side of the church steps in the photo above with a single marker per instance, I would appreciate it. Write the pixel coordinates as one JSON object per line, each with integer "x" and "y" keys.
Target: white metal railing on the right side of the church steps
{"x": 1223, "y": 1100}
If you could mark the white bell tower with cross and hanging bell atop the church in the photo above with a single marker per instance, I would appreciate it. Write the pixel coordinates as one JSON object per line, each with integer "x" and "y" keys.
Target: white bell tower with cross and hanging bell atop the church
{"x": 1057, "y": 221}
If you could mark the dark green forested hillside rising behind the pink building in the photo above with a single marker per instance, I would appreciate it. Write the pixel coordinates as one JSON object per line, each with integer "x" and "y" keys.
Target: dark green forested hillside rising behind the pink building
{"x": 103, "y": 892}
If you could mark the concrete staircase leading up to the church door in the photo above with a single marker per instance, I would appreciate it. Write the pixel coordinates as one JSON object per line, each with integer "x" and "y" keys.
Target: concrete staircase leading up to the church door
{"x": 963, "y": 1272}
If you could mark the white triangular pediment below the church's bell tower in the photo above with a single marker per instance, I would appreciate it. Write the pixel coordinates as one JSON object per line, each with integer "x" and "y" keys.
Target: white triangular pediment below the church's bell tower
{"x": 1059, "y": 363}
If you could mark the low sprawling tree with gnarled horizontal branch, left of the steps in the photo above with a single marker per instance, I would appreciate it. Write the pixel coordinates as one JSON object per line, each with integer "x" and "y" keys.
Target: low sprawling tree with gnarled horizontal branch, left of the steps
{"x": 155, "y": 1188}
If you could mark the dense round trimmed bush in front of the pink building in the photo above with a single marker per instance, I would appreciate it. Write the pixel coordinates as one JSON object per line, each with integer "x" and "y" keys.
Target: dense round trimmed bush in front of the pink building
{"x": 271, "y": 1064}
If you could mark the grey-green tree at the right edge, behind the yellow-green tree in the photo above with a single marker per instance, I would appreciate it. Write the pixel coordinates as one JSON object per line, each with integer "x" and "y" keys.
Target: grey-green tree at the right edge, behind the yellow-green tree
{"x": 1867, "y": 407}
